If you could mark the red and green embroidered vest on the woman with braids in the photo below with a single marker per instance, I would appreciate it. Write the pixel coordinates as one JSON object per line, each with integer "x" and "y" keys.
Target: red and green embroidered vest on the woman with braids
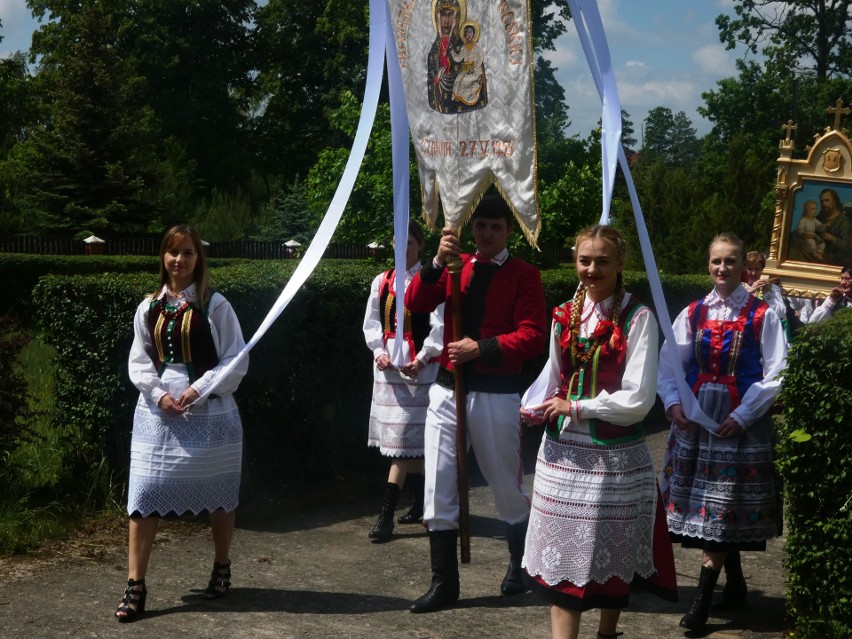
{"x": 603, "y": 371}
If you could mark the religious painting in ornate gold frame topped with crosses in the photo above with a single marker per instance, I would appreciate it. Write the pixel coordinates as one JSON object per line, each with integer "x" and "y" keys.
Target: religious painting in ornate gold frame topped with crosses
{"x": 812, "y": 229}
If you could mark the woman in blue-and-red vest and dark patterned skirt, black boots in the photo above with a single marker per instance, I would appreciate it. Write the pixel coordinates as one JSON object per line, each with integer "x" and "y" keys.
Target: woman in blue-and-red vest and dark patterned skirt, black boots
{"x": 719, "y": 488}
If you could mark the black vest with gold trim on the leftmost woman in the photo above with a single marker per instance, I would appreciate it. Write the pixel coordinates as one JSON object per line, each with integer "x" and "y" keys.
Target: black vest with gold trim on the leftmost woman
{"x": 181, "y": 336}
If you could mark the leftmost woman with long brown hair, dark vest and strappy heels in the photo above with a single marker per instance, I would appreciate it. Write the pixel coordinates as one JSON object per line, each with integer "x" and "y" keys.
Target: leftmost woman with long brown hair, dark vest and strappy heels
{"x": 185, "y": 457}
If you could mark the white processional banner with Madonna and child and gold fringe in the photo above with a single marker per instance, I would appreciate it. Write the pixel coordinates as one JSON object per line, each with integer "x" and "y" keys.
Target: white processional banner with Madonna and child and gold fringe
{"x": 467, "y": 75}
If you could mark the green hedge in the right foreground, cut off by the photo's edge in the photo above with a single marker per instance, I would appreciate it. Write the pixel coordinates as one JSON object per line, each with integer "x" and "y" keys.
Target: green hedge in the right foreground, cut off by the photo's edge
{"x": 814, "y": 453}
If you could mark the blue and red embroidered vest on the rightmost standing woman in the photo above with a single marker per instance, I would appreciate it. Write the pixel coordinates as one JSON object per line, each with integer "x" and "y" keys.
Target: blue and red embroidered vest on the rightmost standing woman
{"x": 726, "y": 352}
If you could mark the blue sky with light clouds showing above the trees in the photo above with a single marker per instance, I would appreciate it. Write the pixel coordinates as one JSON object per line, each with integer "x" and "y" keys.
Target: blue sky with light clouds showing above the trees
{"x": 665, "y": 53}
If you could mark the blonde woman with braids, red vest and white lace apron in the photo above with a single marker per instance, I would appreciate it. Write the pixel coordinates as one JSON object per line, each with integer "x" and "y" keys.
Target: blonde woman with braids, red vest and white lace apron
{"x": 597, "y": 527}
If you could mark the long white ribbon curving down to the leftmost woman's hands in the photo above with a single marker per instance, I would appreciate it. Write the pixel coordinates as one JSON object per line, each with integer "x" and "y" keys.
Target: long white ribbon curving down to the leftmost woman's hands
{"x": 379, "y": 30}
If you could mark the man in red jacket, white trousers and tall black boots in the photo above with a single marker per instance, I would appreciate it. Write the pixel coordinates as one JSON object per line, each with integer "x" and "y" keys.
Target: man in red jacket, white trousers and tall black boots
{"x": 505, "y": 323}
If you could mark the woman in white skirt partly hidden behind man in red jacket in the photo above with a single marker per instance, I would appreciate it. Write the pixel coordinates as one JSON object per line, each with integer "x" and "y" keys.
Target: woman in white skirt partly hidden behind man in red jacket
{"x": 401, "y": 396}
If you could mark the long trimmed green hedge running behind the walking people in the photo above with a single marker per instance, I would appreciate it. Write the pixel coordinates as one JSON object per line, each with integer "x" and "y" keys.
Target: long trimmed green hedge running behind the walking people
{"x": 305, "y": 401}
